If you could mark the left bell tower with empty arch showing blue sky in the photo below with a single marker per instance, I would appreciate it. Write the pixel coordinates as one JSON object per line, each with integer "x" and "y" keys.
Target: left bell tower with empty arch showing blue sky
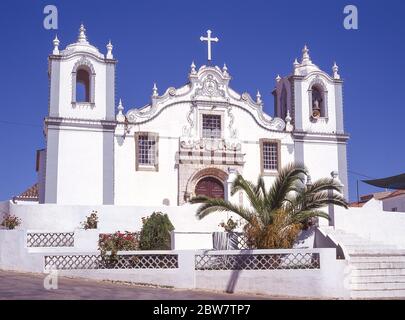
{"x": 80, "y": 125}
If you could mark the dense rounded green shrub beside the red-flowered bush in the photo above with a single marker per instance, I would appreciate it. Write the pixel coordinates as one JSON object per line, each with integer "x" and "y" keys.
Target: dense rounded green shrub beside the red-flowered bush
{"x": 155, "y": 233}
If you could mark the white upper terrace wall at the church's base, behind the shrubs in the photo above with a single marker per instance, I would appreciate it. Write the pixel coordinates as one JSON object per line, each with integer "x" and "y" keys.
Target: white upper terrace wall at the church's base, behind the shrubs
{"x": 112, "y": 217}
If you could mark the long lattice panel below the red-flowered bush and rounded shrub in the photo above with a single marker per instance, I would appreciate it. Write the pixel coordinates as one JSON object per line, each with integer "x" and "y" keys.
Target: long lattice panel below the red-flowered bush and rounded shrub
{"x": 147, "y": 261}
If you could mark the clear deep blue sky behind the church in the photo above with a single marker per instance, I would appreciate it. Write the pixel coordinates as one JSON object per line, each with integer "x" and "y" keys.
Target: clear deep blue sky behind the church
{"x": 157, "y": 40}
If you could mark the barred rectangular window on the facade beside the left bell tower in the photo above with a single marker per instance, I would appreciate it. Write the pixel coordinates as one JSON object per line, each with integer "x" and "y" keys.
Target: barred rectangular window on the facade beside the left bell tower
{"x": 146, "y": 151}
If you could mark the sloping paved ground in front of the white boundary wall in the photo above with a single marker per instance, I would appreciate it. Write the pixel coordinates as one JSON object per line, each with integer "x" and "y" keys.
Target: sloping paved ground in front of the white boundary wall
{"x": 15, "y": 286}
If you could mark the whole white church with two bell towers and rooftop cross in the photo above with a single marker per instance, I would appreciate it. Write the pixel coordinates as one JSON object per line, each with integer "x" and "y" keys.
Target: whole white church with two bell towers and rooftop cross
{"x": 186, "y": 141}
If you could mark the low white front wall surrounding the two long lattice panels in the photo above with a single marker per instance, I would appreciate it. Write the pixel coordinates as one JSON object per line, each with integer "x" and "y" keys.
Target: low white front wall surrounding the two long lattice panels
{"x": 326, "y": 282}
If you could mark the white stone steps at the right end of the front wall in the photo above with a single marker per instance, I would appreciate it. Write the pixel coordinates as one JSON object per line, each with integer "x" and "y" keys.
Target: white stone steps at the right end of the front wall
{"x": 378, "y": 269}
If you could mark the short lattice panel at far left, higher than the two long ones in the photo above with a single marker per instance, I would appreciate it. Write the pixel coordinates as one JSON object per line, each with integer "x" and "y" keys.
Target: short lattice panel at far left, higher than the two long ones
{"x": 55, "y": 239}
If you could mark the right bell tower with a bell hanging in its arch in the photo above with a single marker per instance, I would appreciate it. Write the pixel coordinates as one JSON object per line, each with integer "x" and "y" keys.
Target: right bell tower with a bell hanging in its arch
{"x": 313, "y": 101}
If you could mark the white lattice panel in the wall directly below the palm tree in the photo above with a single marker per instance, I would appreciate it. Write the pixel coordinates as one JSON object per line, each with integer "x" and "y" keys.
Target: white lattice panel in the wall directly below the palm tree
{"x": 258, "y": 261}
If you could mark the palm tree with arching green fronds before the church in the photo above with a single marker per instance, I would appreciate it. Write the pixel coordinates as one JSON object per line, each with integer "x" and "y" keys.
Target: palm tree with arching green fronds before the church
{"x": 276, "y": 216}
